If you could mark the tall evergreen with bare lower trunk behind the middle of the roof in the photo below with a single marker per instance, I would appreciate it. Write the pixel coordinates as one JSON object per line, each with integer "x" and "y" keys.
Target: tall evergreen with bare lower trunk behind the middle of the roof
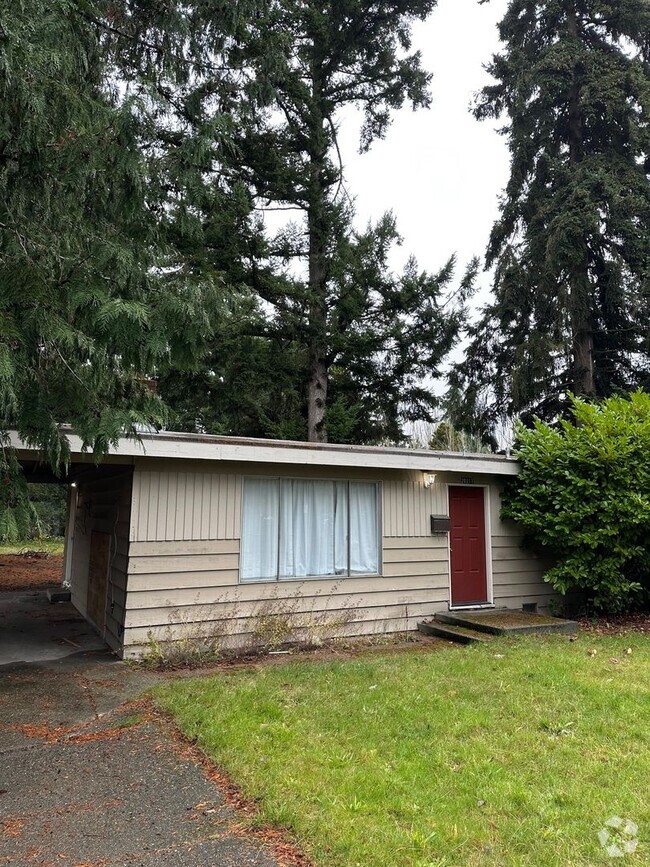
{"x": 369, "y": 336}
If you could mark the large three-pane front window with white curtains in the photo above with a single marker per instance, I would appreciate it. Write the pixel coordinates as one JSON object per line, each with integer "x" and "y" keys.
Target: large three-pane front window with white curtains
{"x": 295, "y": 528}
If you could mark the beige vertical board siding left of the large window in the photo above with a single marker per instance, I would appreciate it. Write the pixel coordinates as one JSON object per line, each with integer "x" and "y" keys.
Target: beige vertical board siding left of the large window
{"x": 173, "y": 506}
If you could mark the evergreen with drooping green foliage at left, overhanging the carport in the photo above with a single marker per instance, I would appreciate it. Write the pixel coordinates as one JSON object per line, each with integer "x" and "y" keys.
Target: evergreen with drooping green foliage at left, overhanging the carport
{"x": 85, "y": 317}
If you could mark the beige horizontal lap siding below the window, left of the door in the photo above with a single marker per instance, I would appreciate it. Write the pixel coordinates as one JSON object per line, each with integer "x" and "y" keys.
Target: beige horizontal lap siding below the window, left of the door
{"x": 174, "y": 586}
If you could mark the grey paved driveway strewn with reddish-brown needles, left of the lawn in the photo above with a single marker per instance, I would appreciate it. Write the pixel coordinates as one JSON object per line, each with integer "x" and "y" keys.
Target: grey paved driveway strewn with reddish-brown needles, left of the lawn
{"x": 89, "y": 778}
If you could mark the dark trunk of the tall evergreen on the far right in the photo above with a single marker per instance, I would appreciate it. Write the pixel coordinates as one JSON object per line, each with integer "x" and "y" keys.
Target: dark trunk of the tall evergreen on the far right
{"x": 582, "y": 336}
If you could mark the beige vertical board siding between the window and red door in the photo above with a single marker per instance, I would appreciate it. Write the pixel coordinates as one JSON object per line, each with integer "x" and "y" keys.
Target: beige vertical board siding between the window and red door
{"x": 408, "y": 505}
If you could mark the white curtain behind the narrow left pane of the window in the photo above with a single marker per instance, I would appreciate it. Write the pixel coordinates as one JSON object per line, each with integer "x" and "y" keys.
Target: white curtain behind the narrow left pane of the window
{"x": 260, "y": 530}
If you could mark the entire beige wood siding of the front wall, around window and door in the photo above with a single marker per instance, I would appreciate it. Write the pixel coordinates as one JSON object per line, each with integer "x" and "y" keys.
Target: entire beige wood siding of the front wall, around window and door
{"x": 184, "y": 560}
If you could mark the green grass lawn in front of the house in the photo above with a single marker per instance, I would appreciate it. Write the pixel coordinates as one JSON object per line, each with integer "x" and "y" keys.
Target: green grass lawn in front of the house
{"x": 514, "y": 753}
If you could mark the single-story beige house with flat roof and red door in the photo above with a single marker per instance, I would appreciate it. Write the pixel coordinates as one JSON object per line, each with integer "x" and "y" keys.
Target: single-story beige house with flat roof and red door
{"x": 178, "y": 534}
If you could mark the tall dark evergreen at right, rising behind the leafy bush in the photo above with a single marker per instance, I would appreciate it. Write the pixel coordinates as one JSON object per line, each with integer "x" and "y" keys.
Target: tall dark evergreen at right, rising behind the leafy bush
{"x": 571, "y": 249}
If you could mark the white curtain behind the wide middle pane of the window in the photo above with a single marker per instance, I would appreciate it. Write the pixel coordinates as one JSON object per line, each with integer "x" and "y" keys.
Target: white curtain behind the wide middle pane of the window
{"x": 313, "y": 520}
